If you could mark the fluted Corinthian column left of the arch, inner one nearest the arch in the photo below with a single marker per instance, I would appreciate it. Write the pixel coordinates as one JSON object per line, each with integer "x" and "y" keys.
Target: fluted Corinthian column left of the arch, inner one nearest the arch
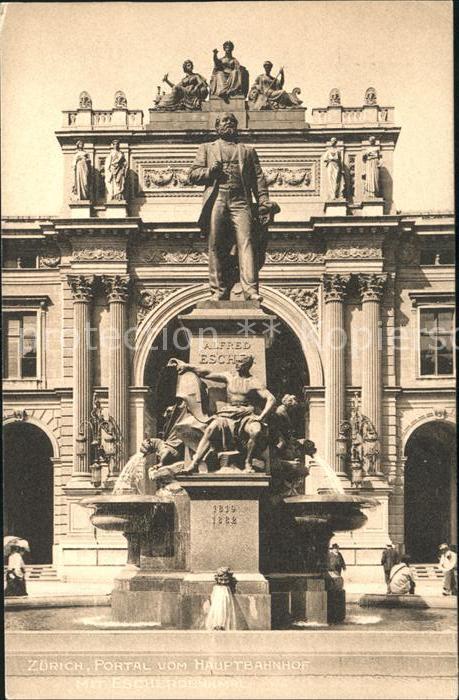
{"x": 117, "y": 290}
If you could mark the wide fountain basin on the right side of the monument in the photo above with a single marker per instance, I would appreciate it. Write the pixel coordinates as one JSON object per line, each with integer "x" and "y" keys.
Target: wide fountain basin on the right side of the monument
{"x": 335, "y": 511}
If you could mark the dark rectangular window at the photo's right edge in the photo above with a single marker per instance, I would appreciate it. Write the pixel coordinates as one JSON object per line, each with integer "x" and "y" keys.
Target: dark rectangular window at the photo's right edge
{"x": 437, "y": 341}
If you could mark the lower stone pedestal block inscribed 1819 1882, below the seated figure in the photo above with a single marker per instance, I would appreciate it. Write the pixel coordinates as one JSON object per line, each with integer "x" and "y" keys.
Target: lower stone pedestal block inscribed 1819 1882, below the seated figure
{"x": 224, "y": 531}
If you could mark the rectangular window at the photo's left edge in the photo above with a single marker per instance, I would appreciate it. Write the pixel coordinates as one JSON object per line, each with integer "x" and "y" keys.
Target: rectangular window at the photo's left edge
{"x": 19, "y": 345}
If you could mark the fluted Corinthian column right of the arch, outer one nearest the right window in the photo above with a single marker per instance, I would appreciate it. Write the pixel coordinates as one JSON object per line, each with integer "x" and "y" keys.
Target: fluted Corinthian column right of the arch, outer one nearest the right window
{"x": 372, "y": 289}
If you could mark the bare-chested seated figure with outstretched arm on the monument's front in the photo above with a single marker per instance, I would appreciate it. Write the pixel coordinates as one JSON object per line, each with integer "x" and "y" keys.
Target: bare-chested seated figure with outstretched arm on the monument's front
{"x": 235, "y": 426}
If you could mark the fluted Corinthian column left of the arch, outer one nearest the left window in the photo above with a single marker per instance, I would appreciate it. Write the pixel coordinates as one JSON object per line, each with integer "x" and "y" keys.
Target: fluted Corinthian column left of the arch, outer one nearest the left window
{"x": 82, "y": 293}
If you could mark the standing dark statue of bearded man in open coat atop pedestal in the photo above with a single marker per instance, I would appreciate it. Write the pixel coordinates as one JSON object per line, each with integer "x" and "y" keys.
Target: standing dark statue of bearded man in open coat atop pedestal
{"x": 235, "y": 225}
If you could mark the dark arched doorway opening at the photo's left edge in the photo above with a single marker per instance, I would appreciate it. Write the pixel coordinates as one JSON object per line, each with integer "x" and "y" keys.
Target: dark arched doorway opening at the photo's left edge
{"x": 28, "y": 488}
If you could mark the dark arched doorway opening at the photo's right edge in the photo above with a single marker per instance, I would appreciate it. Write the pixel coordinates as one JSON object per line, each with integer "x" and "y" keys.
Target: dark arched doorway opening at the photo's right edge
{"x": 430, "y": 489}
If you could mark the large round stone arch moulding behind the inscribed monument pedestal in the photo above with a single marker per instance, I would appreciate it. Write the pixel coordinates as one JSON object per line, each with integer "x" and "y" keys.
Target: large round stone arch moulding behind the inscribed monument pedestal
{"x": 273, "y": 299}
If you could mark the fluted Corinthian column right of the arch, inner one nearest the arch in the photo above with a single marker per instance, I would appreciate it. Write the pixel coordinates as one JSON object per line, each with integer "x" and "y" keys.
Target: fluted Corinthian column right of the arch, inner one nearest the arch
{"x": 334, "y": 340}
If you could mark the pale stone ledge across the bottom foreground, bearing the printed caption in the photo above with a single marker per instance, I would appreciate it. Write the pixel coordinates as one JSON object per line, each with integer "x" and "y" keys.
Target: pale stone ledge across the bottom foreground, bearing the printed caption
{"x": 279, "y": 664}
